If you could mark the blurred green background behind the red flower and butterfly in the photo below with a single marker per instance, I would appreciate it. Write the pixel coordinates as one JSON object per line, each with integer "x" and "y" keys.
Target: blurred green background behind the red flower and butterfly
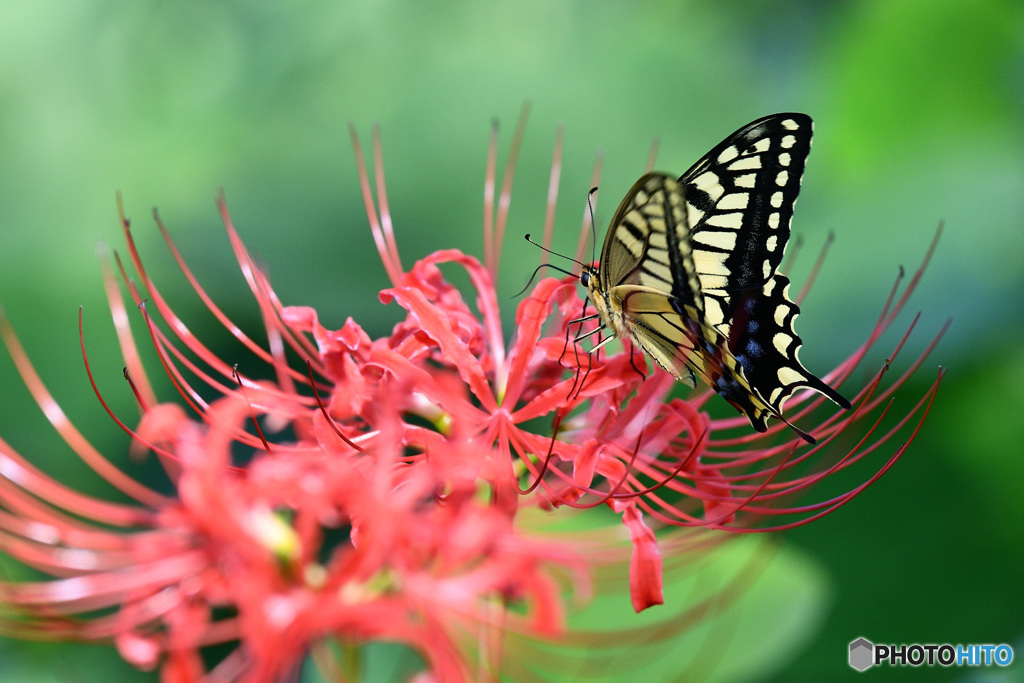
{"x": 919, "y": 107}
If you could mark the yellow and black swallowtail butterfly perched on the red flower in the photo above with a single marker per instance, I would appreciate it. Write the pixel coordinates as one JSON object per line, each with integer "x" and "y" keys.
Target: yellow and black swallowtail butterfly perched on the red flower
{"x": 690, "y": 270}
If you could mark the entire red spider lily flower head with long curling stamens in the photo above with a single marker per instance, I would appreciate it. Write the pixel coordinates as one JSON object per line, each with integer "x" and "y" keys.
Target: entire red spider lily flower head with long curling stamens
{"x": 390, "y": 509}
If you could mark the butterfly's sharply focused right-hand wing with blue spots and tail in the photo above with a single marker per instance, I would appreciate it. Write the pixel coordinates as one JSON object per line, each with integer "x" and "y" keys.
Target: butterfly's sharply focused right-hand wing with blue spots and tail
{"x": 742, "y": 196}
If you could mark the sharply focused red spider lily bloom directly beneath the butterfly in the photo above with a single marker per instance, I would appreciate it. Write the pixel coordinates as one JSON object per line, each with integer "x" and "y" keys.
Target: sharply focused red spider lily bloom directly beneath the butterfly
{"x": 619, "y": 438}
